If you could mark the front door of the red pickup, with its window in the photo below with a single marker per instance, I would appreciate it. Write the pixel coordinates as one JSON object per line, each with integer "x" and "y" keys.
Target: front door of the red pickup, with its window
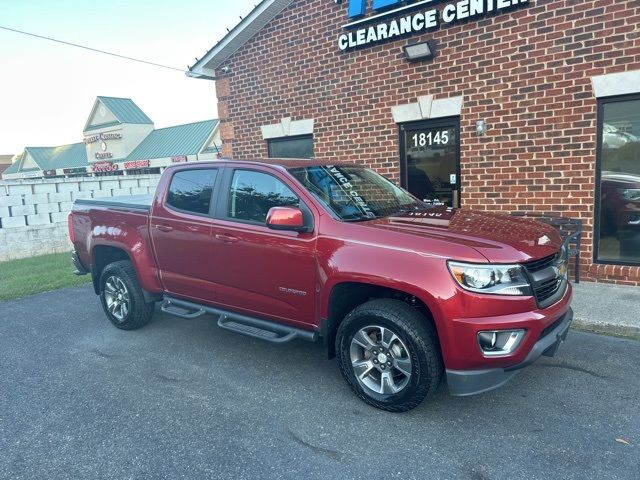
{"x": 262, "y": 271}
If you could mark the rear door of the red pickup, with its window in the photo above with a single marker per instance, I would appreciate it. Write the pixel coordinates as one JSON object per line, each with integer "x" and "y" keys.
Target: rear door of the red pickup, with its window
{"x": 180, "y": 227}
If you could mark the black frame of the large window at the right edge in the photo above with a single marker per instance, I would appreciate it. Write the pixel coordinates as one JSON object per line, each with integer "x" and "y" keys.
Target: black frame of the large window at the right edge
{"x": 598, "y": 190}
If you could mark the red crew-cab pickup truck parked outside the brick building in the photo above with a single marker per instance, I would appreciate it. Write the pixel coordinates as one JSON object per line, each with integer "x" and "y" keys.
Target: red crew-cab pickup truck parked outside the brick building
{"x": 401, "y": 292}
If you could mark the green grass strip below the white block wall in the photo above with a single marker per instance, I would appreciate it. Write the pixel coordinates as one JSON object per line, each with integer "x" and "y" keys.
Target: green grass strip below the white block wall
{"x": 21, "y": 278}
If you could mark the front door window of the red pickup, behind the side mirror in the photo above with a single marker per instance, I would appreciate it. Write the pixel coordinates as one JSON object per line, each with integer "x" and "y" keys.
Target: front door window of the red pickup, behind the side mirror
{"x": 254, "y": 193}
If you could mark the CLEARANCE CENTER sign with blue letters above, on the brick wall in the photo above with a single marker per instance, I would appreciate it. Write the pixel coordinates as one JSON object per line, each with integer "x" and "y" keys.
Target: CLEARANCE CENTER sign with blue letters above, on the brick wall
{"x": 411, "y": 18}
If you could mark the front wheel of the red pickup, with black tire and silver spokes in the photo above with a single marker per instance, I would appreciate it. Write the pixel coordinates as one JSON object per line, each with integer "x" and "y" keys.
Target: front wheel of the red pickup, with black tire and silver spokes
{"x": 388, "y": 353}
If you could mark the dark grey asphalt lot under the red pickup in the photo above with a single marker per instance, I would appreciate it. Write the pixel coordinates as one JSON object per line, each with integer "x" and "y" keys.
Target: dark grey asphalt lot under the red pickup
{"x": 184, "y": 399}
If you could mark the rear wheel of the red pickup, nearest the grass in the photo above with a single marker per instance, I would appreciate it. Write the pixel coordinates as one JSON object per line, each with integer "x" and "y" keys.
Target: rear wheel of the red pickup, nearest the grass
{"x": 138, "y": 312}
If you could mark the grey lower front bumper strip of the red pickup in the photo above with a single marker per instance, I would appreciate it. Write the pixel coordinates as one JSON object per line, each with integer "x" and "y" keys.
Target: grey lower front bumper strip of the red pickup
{"x": 471, "y": 382}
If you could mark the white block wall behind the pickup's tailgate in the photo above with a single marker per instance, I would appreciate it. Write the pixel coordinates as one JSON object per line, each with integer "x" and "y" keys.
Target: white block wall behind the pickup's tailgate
{"x": 33, "y": 213}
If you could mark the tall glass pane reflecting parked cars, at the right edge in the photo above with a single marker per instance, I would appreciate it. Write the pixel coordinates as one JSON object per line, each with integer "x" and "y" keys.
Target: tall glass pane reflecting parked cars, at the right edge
{"x": 617, "y": 236}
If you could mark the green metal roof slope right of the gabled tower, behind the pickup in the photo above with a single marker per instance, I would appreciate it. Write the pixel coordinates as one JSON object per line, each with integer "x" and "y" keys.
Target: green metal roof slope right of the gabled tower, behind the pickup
{"x": 172, "y": 141}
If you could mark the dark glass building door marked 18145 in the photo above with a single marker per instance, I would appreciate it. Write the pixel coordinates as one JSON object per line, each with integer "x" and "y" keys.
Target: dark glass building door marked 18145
{"x": 430, "y": 160}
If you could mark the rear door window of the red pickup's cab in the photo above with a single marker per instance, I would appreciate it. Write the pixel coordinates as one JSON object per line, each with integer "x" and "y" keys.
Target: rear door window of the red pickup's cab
{"x": 191, "y": 190}
